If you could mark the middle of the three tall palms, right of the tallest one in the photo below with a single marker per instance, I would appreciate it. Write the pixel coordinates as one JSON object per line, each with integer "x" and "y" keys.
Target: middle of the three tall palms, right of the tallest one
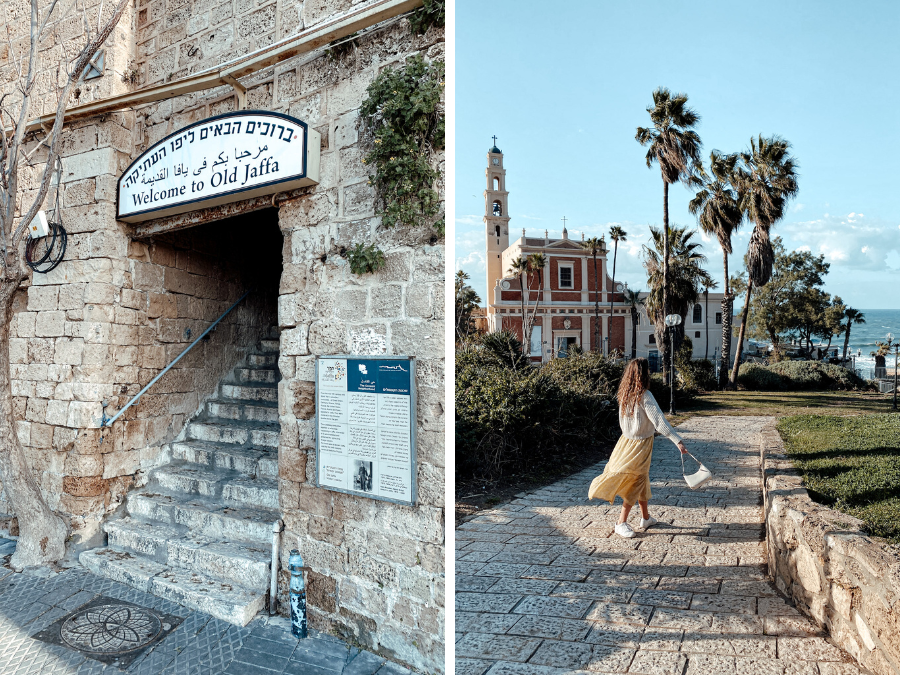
{"x": 718, "y": 211}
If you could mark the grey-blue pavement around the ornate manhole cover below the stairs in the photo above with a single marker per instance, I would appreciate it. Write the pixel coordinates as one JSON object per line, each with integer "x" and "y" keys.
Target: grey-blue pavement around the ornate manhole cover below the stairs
{"x": 201, "y": 645}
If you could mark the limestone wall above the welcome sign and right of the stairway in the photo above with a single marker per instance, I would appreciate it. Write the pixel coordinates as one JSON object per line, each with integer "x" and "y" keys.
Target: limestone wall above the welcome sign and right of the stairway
{"x": 378, "y": 568}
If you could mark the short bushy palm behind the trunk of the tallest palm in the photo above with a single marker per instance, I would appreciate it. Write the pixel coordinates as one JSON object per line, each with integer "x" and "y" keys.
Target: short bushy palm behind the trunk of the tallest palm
{"x": 686, "y": 278}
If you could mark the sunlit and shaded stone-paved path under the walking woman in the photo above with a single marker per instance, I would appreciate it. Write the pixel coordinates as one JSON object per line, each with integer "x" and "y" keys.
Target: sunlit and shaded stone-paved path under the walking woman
{"x": 544, "y": 587}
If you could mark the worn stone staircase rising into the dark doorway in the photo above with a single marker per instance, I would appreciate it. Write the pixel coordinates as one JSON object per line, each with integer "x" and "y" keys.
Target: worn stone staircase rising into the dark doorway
{"x": 200, "y": 532}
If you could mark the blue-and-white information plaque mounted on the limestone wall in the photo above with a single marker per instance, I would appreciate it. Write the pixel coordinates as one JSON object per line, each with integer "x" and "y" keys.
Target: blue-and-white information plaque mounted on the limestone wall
{"x": 366, "y": 426}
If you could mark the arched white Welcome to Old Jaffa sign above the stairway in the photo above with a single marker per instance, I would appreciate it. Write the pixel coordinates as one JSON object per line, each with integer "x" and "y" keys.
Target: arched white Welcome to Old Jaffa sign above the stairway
{"x": 222, "y": 159}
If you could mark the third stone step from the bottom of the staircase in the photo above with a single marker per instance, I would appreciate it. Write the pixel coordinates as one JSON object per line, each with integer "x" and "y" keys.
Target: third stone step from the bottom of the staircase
{"x": 204, "y": 516}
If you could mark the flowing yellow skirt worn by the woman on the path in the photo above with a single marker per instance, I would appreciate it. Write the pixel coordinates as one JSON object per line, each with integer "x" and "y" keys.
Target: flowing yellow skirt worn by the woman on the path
{"x": 627, "y": 473}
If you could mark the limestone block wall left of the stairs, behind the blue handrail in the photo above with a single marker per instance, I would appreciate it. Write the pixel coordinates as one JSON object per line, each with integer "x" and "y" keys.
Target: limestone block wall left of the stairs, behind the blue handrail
{"x": 104, "y": 322}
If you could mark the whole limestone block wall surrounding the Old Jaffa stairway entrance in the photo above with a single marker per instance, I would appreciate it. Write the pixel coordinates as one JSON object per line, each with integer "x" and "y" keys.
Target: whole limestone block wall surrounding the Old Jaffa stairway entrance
{"x": 378, "y": 568}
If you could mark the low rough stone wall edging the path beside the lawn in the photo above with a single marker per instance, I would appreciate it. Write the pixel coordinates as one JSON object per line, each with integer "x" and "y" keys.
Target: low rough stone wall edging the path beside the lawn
{"x": 844, "y": 580}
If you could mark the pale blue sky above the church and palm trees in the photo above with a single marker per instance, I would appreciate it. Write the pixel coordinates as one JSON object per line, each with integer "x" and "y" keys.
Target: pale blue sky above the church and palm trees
{"x": 564, "y": 86}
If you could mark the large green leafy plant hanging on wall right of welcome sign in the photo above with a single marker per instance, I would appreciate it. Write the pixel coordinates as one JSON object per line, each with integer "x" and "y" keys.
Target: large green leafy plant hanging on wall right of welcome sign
{"x": 404, "y": 118}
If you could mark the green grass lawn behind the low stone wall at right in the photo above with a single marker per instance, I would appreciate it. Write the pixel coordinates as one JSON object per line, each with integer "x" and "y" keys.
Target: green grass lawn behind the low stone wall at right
{"x": 851, "y": 463}
